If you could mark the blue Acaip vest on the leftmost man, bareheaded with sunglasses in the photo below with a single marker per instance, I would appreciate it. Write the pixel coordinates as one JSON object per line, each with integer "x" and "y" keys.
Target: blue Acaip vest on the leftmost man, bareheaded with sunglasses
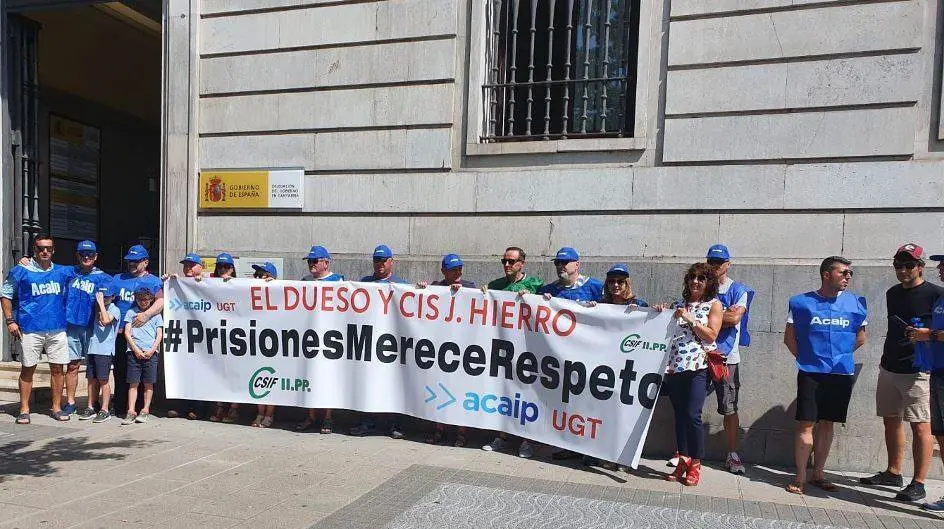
{"x": 40, "y": 296}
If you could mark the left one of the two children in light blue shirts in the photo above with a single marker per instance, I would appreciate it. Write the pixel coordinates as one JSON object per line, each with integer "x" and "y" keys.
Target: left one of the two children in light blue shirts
{"x": 101, "y": 353}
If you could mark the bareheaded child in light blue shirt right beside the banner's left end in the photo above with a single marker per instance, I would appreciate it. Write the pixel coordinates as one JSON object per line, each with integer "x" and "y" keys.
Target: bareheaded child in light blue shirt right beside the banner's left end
{"x": 143, "y": 345}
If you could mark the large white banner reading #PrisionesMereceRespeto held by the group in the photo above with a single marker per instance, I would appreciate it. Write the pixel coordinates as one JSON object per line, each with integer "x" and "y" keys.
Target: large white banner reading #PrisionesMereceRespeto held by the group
{"x": 557, "y": 372}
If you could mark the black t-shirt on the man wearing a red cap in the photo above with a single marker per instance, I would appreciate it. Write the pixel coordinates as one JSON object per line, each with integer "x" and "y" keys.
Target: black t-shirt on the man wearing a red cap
{"x": 917, "y": 302}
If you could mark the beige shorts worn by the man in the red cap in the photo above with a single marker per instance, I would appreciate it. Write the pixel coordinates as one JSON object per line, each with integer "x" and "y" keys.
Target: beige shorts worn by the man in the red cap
{"x": 903, "y": 395}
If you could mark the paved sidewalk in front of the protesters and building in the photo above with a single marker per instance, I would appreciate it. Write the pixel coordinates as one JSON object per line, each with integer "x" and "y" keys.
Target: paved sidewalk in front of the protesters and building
{"x": 179, "y": 473}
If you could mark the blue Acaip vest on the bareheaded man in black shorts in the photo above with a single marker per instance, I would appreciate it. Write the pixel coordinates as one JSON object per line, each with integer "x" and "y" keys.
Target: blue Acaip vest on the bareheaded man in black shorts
{"x": 826, "y": 331}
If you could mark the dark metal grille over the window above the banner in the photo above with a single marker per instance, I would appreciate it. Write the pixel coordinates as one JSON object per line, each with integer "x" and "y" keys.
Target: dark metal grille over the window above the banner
{"x": 559, "y": 69}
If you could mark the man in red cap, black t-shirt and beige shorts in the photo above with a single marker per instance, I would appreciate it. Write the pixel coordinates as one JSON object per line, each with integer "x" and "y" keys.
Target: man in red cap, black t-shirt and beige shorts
{"x": 903, "y": 393}
